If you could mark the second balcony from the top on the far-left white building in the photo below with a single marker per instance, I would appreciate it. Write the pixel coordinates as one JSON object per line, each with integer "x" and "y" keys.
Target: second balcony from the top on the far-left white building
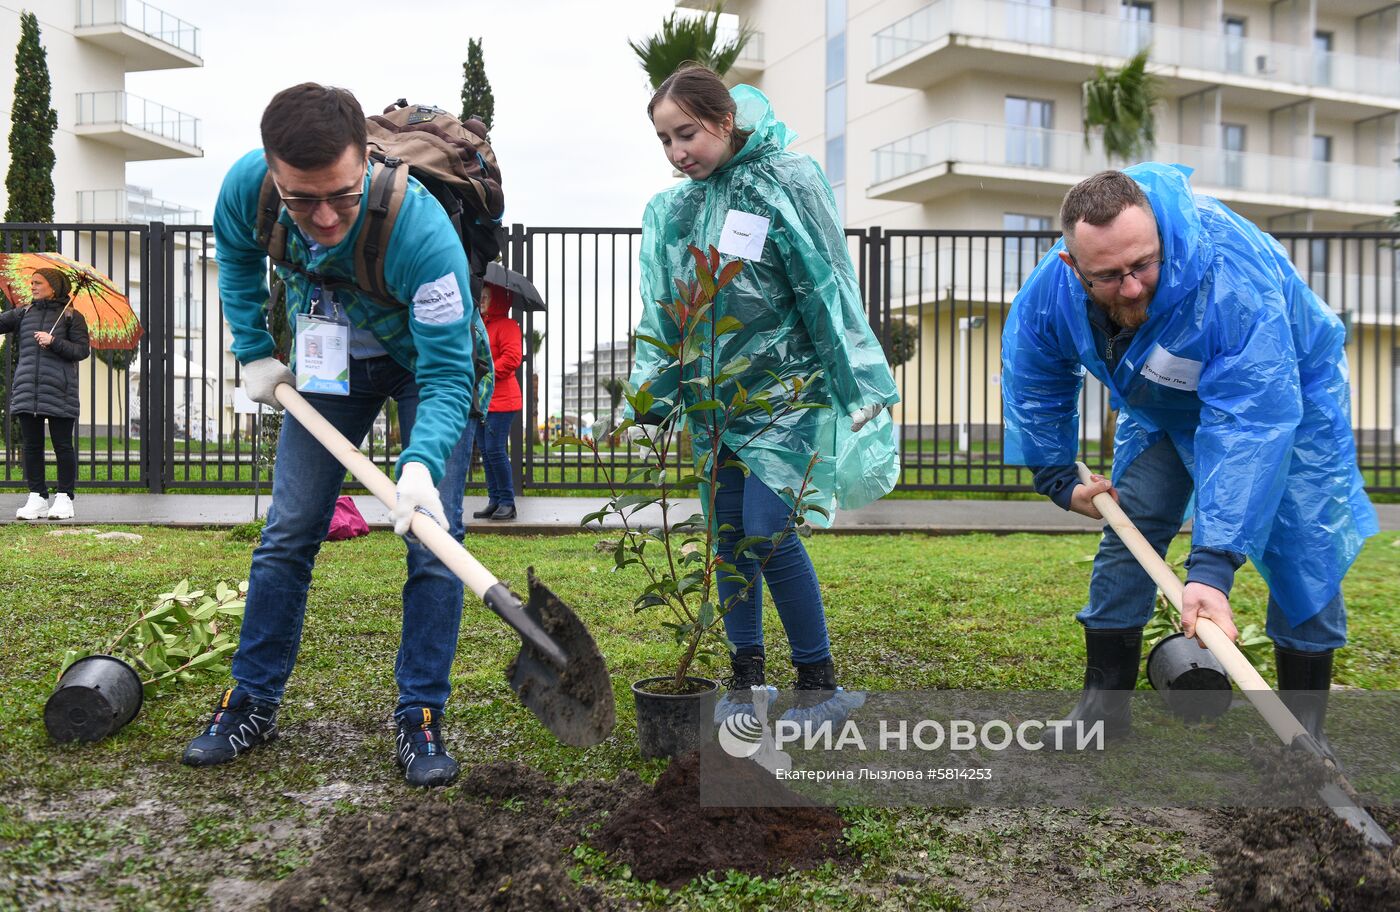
{"x": 141, "y": 128}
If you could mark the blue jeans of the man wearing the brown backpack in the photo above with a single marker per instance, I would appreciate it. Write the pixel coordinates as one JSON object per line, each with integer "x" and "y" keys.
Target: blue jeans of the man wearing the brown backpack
{"x": 306, "y": 484}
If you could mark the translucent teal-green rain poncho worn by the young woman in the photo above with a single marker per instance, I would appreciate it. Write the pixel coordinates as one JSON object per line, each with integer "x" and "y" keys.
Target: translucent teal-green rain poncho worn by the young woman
{"x": 801, "y": 310}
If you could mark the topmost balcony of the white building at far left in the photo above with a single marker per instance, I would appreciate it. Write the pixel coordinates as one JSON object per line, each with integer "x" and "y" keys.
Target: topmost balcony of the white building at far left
{"x": 146, "y": 37}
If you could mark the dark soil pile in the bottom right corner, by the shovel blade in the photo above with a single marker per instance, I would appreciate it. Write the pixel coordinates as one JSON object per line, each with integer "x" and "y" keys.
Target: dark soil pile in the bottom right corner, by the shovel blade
{"x": 1304, "y": 858}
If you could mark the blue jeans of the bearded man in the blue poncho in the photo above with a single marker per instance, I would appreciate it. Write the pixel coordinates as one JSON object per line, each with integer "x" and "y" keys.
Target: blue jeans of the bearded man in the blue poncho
{"x": 1156, "y": 492}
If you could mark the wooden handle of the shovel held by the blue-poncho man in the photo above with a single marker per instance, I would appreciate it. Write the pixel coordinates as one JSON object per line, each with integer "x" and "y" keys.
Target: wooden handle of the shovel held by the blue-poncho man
{"x": 1265, "y": 700}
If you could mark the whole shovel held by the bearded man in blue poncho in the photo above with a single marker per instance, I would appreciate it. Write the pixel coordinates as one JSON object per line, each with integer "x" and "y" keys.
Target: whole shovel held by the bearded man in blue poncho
{"x": 1265, "y": 700}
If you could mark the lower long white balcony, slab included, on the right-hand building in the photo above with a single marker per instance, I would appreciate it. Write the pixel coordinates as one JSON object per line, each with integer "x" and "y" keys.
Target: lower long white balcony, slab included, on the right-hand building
{"x": 962, "y": 155}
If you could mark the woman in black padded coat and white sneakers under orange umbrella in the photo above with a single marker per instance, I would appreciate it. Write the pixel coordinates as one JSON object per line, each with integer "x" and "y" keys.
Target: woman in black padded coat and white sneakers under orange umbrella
{"x": 52, "y": 340}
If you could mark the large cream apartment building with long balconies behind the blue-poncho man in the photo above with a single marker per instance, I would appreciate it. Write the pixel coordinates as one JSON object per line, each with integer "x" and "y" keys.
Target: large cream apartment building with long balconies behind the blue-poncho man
{"x": 967, "y": 116}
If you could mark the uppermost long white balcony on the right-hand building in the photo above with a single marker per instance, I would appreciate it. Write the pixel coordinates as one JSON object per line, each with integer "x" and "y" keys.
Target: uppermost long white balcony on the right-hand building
{"x": 1056, "y": 44}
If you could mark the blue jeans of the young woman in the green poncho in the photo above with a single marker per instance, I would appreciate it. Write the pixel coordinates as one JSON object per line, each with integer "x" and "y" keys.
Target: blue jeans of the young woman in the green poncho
{"x": 752, "y": 509}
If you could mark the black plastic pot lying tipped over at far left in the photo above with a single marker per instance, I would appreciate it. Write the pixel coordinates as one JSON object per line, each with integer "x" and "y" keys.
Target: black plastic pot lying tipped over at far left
{"x": 96, "y": 697}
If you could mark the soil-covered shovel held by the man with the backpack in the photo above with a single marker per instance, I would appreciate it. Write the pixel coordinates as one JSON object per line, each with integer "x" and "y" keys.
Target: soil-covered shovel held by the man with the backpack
{"x": 559, "y": 673}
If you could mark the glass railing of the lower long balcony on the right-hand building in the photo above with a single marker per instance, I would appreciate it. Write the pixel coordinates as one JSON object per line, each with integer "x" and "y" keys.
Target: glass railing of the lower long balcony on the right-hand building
{"x": 1062, "y": 152}
